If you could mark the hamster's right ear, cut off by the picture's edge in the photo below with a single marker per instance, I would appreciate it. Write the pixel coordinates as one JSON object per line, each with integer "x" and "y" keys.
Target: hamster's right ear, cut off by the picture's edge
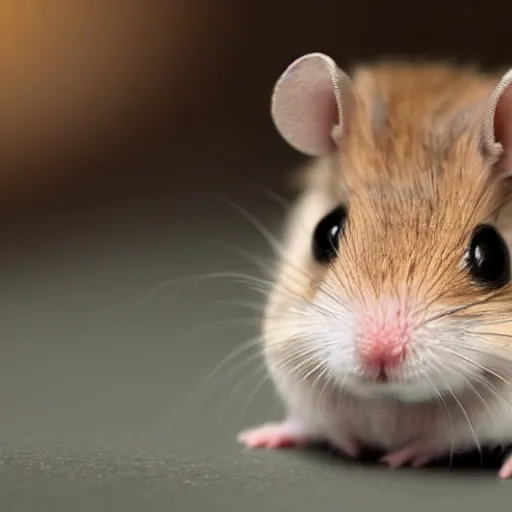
{"x": 498, "y": 124}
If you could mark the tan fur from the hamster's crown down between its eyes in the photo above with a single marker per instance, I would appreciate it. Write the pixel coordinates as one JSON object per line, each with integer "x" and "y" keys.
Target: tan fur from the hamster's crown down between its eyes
{"x": 417, "y": 181}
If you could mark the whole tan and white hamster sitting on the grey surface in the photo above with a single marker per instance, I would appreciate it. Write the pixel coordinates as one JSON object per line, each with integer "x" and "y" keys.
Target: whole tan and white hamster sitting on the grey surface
{"x": 389, "y": 325}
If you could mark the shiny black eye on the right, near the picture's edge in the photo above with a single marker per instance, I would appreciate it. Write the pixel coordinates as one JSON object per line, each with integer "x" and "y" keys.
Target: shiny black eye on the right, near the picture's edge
{"x": 489, "y": 258}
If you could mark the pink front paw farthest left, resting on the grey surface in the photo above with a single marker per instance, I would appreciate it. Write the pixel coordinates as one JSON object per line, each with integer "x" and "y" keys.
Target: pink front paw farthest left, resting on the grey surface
{"x": 274, "y": 436}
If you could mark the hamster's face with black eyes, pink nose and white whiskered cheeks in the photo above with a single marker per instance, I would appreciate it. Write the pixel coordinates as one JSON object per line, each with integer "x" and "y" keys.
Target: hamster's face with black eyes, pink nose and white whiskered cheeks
{"x": 396, "y": 288}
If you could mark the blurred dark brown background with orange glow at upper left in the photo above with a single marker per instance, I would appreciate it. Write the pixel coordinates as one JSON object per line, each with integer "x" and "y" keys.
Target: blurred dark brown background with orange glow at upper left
{"x": 99, "y": 95}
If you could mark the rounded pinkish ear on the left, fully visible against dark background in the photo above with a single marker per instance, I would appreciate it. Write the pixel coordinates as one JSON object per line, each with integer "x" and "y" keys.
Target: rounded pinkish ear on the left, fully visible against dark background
{"x": 308, "y": 104}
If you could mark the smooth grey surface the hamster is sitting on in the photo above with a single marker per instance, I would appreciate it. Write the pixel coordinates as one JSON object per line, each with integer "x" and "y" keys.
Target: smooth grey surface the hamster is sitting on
{"x": 104, "y": 394}
